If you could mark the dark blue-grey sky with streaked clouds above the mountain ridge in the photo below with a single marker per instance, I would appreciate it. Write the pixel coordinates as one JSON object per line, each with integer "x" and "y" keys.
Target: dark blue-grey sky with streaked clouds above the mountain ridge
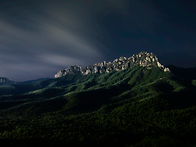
{"x": 38, "y": 38}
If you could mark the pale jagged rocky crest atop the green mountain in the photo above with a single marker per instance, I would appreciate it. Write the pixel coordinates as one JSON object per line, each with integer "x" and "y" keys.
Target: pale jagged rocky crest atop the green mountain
{"x": 144, "y": 59}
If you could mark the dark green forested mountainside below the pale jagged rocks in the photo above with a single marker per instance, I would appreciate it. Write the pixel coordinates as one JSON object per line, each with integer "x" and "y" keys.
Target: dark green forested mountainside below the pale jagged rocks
{"x": 134, "y": 107}
